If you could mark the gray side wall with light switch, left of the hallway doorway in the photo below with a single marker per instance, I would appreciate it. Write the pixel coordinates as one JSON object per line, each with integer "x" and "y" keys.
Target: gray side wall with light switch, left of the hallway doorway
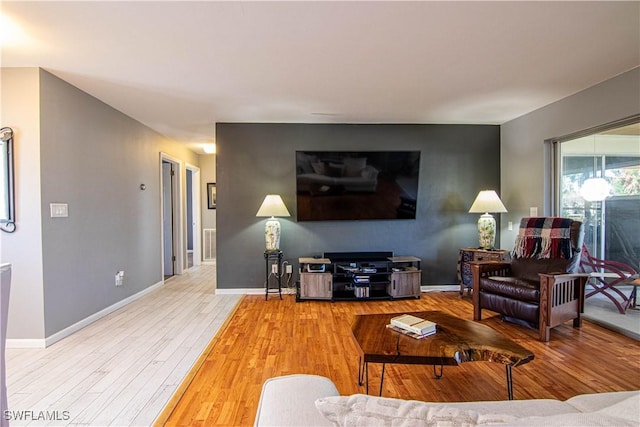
{"x": 94, "y": 158}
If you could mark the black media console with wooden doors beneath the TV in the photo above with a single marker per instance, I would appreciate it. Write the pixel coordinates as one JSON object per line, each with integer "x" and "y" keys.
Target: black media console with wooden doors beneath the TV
{"x": 358, "y": 275}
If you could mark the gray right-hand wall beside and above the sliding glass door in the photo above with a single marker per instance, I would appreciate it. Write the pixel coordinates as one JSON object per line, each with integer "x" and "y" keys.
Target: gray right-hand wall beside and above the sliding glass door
{"x": 524, "y": 170}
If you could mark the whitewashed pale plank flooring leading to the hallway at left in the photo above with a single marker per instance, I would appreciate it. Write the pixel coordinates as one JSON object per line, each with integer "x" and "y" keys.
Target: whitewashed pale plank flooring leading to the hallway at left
{"x": 122, "y": 369}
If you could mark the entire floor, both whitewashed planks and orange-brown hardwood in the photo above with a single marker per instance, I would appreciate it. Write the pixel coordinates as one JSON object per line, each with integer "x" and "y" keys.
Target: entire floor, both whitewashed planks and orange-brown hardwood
{"x": 123, "y": 369}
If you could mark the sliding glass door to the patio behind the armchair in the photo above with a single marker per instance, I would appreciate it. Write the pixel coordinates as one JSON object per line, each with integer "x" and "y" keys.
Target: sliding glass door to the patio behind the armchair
{"x": 598, "y": 183}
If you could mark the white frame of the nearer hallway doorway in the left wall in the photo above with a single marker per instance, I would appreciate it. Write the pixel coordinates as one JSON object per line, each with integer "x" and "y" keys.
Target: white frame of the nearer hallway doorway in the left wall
{"x": 178, "y": 214}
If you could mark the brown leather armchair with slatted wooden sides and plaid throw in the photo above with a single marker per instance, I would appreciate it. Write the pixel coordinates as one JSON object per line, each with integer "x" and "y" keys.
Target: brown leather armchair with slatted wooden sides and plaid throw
{"x": 539, "y": 288}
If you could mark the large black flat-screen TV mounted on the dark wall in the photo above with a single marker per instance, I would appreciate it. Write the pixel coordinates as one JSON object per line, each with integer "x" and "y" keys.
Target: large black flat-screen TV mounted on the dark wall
{"x": 357, "y": 185}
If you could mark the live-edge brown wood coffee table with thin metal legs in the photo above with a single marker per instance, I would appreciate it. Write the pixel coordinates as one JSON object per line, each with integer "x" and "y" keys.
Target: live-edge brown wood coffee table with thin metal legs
{"x": 456, "y": 341}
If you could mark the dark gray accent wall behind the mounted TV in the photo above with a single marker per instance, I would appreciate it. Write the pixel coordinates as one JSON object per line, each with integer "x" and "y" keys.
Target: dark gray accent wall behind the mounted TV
{"x": 257, "y": 159}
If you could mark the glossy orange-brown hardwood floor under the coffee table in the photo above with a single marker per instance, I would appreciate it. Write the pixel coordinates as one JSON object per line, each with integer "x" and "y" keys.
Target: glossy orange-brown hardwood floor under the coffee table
{"x": 279, "y": 337}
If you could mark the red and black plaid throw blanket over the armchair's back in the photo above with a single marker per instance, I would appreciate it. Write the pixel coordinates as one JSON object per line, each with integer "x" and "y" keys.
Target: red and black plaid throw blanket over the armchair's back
{"x": 547, "y": 237}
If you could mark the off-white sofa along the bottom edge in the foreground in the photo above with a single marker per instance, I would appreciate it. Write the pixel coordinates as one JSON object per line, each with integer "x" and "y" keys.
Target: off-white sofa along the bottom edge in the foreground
{"x": 311, "y": 400}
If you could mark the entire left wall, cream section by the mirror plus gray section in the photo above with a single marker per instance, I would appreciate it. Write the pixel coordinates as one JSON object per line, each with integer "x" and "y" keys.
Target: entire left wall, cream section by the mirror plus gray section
{"x": 91, "y": 156}
